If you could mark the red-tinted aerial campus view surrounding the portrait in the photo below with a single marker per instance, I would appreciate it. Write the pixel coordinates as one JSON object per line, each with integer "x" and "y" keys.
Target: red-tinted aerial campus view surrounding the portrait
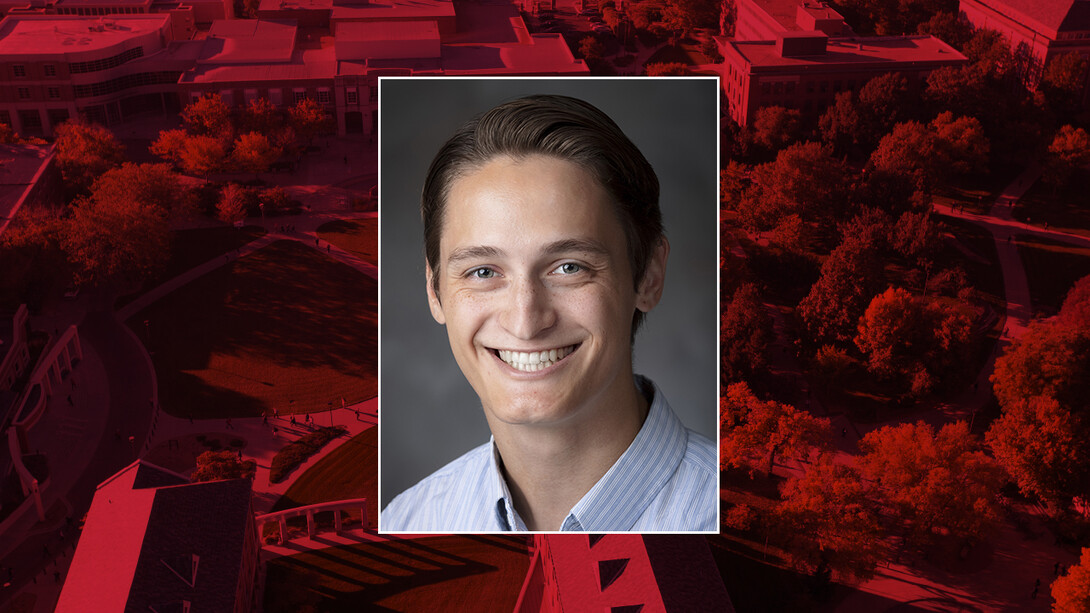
{"x": 189, "y": 306}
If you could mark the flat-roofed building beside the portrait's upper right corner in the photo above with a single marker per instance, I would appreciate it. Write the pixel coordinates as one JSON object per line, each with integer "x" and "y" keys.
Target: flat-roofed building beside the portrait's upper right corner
{"x": 806, "y": 70}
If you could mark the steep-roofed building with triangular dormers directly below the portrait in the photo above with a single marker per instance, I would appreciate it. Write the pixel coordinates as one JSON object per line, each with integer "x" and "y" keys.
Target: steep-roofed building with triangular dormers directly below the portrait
{"x": 622, "y": 574}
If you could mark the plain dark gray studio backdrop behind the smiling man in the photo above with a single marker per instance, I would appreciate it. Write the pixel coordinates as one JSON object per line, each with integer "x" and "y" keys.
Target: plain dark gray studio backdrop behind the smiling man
{"x": 429, "y": 415}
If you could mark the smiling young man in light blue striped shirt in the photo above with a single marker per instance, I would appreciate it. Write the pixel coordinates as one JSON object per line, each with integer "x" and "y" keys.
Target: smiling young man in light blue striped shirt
{"x": 544, "y": 251}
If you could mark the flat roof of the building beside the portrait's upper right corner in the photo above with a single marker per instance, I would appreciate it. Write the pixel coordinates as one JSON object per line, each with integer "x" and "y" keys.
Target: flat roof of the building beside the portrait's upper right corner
{"x": 856, "y": 51}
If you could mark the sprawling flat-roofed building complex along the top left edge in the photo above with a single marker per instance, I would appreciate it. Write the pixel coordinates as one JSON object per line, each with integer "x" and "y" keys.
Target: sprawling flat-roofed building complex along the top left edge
{"x": 112, "y": 68}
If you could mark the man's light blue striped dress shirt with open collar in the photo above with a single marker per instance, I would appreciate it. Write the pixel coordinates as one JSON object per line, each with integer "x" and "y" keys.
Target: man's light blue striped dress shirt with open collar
{"x": 665, "y": 482}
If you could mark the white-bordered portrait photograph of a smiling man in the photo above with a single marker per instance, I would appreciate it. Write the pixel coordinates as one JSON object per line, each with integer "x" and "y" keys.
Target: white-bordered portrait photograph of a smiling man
{"x": 549, "y": 330}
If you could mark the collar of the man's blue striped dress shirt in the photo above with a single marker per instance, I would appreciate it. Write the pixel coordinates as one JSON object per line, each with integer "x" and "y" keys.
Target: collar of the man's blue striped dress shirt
{"x": 623, "y": 495}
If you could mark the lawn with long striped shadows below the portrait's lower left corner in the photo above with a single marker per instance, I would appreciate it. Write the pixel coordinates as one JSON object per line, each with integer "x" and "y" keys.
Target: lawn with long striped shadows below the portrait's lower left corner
{"x": 450, "y": 574}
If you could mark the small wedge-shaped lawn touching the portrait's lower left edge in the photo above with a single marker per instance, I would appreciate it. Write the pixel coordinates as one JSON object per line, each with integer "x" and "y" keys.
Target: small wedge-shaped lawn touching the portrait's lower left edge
{"x": 349, "y": 472}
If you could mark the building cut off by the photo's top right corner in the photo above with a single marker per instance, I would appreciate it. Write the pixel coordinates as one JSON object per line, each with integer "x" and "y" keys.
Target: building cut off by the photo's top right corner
{"x": 1038, "y": 31}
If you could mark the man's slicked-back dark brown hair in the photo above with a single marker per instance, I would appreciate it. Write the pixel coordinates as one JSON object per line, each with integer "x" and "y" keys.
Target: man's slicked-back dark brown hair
{"x": 562, "y": 128}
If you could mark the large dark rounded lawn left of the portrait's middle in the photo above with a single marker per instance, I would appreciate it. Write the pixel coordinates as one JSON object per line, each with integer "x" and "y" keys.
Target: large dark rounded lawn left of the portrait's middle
{"x": 285, "y": 328}
